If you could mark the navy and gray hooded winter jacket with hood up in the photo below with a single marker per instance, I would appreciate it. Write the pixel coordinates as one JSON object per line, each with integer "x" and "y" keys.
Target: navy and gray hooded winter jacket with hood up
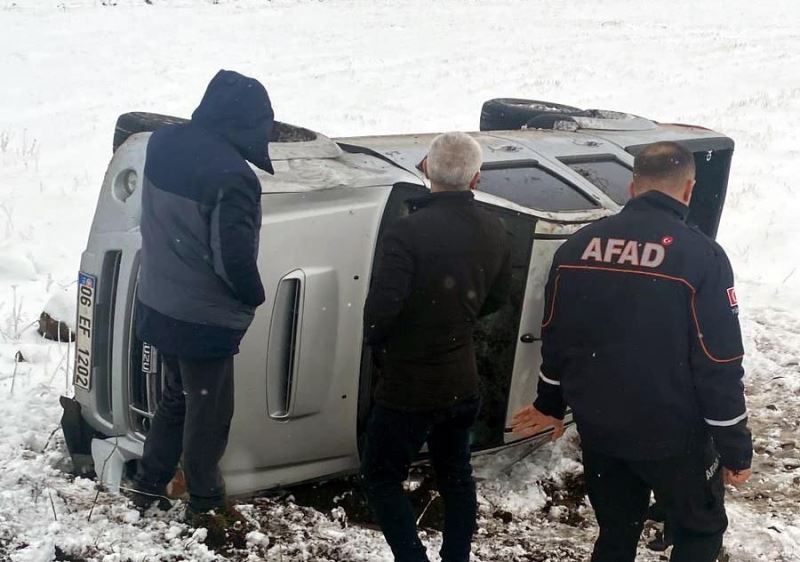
{"x": 201, "y": 213}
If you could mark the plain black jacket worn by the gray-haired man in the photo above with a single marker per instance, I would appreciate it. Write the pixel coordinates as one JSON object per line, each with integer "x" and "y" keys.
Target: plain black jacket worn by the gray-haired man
{"x": 439, "y": 269}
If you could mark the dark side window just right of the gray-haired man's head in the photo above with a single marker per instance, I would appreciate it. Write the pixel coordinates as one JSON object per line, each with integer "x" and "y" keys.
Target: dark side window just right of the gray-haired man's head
{"x": 533, "y": 187}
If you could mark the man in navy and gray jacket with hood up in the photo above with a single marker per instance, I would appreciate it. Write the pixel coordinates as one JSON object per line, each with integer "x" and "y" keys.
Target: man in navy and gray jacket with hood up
{"x": 199, "y": 284}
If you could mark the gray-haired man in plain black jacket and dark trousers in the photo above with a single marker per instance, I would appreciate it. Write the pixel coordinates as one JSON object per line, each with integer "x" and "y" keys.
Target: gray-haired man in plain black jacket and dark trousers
{"x": 439, "y": 269}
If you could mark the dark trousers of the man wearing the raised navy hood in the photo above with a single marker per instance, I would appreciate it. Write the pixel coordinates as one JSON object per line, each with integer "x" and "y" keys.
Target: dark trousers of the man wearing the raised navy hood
{"x": 193, "y": 419}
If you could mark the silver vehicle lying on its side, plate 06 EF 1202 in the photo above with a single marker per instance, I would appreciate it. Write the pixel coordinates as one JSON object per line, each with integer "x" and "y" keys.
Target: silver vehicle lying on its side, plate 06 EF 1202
{"x": 304, "y": 377}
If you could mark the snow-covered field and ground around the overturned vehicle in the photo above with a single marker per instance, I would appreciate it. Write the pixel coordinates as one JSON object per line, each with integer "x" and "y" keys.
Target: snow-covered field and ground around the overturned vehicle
{"x": 68, "y": 68}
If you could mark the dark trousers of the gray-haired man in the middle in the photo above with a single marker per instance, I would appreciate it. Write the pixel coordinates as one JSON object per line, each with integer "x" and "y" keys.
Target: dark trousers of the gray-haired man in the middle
{"x": 393, "y": 440}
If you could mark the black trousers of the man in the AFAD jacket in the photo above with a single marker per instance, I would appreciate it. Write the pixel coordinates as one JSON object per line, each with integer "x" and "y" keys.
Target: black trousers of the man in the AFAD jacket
{"x": 689, "y": 488}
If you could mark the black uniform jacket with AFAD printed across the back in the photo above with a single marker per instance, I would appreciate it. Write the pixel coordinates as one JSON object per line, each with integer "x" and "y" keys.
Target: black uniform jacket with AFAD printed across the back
{"x": 641, "y": 337}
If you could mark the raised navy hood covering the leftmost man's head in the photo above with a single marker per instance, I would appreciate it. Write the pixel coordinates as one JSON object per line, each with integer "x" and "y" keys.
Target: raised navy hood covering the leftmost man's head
{"x": 238, "y": 108}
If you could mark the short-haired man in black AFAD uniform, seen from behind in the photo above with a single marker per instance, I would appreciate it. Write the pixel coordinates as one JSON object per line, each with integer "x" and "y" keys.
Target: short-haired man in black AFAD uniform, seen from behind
{"x": 641, "y": 340}
